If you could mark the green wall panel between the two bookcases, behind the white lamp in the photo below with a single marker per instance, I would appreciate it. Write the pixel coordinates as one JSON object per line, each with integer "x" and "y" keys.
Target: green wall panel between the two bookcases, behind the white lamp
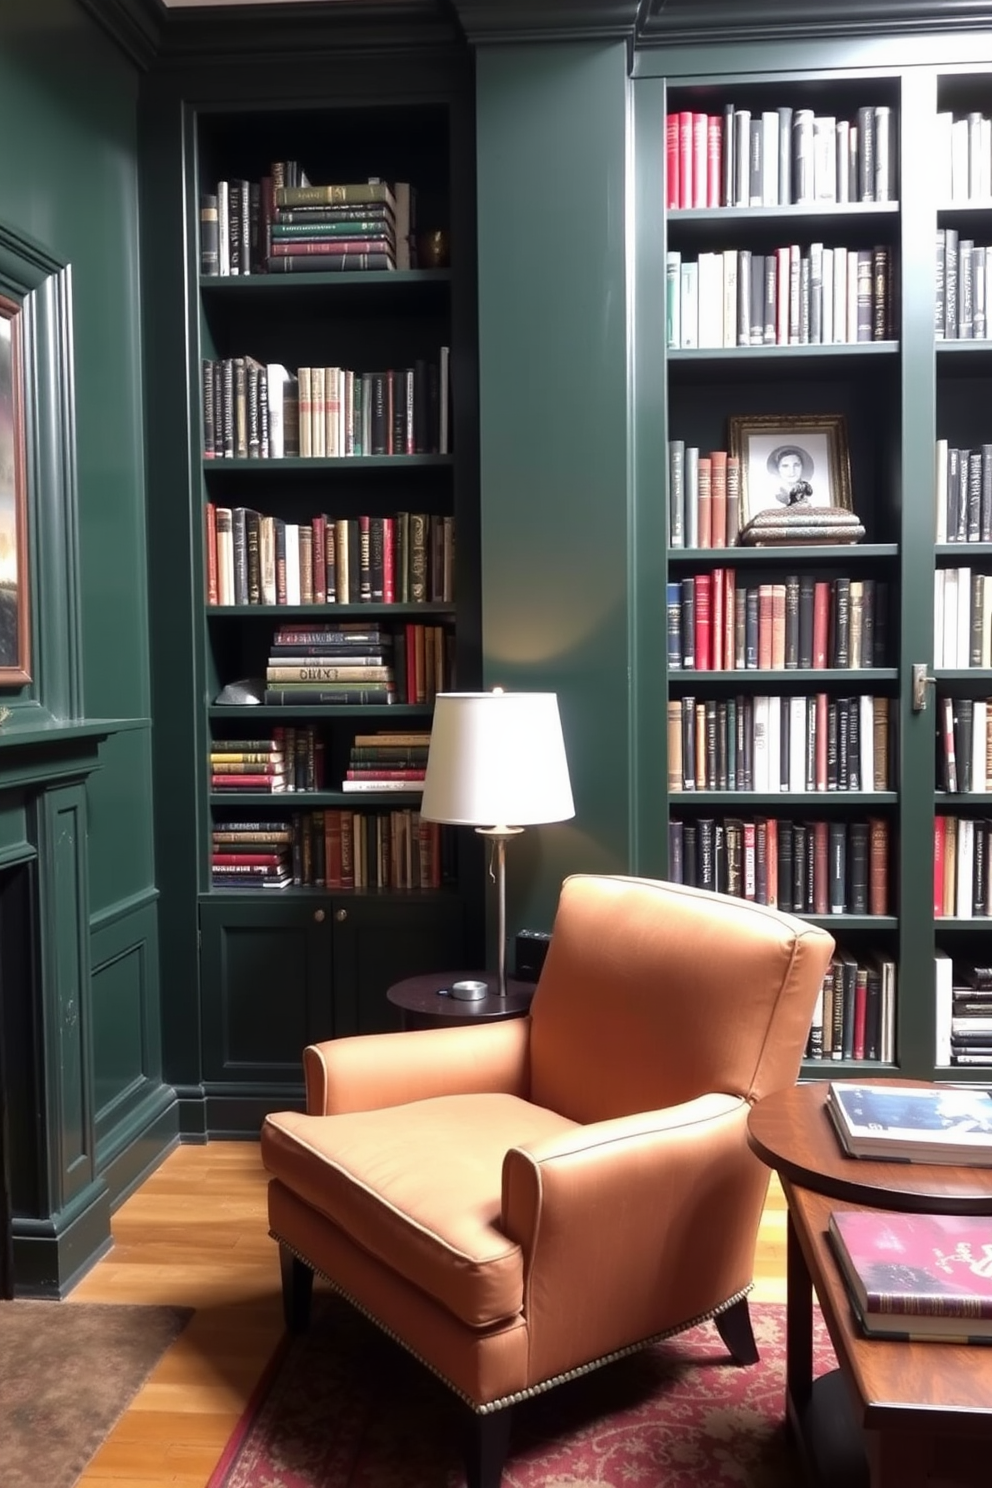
{"x": 554, "y": 394}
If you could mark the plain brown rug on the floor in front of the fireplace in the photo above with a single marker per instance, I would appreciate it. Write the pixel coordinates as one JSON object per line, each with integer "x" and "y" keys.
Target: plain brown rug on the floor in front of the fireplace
{"x": 68, "y": 1373}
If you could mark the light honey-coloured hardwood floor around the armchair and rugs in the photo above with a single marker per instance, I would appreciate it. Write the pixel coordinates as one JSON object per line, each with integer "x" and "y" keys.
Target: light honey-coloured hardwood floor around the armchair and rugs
{"x": 196, "y": 1236}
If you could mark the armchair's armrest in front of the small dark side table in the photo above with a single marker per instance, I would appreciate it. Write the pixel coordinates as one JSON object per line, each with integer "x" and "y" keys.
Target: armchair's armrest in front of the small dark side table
{"x": 392, "y": 1069}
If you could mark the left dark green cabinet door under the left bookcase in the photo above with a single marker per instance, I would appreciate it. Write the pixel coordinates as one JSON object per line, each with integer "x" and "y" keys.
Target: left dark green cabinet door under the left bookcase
{"x": 265, "y": 977}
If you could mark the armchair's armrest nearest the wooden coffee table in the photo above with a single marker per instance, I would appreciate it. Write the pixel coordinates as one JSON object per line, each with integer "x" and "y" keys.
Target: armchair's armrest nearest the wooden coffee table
{"x": 643, "y": 1222}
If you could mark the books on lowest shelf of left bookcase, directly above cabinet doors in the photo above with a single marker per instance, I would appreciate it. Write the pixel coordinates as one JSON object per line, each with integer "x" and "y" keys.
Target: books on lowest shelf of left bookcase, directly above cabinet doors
{"x": 337, "y": 847}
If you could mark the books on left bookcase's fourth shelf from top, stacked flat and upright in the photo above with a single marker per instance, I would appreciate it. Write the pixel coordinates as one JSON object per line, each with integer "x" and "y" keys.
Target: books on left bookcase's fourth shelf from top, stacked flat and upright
{"x": 413, "y": 666}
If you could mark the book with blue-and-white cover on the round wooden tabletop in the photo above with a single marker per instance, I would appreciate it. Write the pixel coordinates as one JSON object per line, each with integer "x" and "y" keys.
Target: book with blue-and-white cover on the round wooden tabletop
{"x": 914, "y": 1124}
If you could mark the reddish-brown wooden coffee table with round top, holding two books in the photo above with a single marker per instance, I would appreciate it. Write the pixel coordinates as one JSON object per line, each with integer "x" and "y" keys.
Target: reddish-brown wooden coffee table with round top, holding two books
{"x": 895, "y": 1414}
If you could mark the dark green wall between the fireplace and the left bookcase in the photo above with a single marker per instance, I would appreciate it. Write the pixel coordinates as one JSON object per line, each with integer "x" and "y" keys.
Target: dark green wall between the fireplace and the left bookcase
{"x": 69, "y": 181}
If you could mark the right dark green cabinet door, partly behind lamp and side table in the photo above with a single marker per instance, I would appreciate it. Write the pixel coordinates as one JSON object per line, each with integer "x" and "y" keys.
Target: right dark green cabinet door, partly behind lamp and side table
{"x": 381, "y": 941}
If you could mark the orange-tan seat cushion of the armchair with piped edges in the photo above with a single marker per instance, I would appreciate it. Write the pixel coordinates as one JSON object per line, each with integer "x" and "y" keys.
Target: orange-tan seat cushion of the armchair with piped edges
{"x": 435, "y": 1222}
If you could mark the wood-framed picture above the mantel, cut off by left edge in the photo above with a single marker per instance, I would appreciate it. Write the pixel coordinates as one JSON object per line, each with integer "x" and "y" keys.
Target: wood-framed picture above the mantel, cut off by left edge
{"x": 16, "y": 632}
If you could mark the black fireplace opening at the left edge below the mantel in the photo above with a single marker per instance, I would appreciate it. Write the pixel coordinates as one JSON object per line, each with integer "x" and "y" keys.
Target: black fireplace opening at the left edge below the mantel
{"x": 19, "y": 1078}
